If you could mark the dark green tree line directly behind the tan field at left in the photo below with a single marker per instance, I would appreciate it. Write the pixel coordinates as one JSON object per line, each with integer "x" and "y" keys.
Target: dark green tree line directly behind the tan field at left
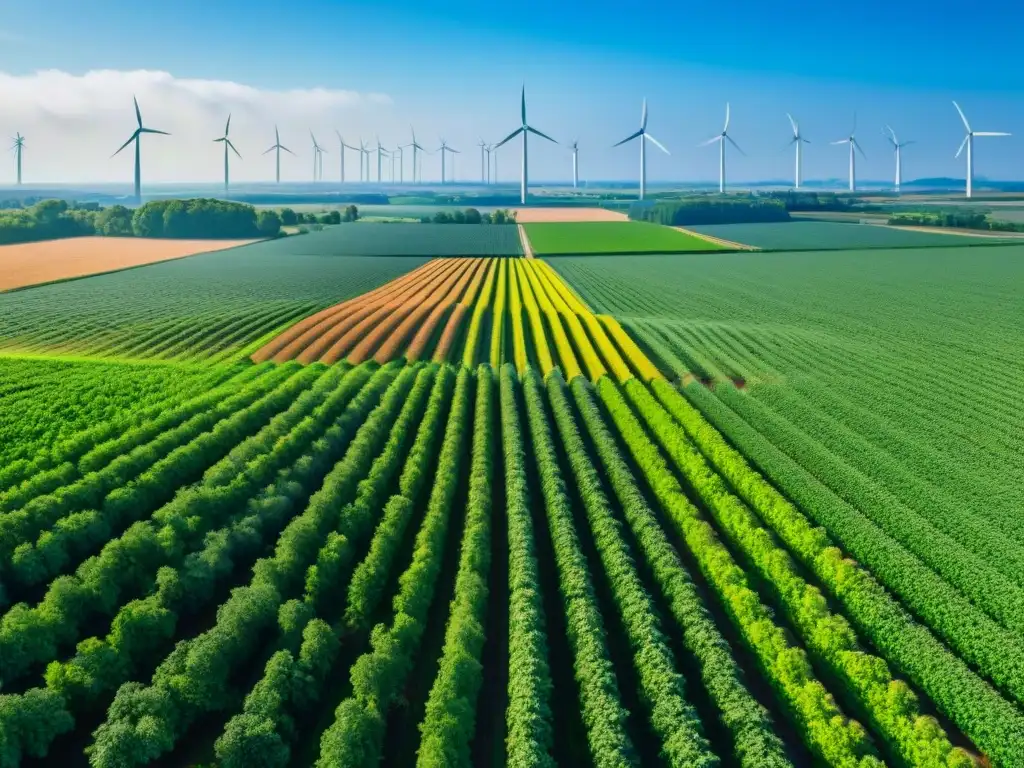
{"x": 200, "y": 219}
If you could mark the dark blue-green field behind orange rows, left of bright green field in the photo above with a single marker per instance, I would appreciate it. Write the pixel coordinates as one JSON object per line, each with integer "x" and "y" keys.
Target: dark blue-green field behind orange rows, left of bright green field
{"x": 369, "y": 239}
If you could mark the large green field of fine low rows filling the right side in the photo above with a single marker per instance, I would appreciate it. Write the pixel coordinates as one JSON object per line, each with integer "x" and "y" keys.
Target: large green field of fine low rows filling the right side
{"x": 880, "y": 392}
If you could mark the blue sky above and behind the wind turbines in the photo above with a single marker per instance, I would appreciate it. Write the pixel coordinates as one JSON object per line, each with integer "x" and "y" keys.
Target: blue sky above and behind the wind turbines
{"x": 455, "y": 69}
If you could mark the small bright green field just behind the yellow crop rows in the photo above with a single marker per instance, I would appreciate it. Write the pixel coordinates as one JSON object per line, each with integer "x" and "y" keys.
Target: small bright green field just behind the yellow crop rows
{"x": 550, "y": 239}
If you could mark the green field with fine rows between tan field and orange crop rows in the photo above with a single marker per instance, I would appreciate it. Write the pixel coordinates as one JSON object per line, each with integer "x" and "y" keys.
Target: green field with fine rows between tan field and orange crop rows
{"x": 211, "y": 307}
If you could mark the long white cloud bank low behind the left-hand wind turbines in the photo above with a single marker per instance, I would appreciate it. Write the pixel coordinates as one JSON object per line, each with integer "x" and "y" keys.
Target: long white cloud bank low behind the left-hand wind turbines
{"x": 74, "y": 123}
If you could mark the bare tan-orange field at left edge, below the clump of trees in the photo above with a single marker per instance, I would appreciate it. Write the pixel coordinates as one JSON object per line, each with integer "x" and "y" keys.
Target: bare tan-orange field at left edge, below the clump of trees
{"x": 32, "y": 264}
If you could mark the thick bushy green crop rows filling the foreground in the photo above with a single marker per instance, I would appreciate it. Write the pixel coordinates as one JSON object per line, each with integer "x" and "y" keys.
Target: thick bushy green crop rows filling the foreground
{"x": 432, "y": 566}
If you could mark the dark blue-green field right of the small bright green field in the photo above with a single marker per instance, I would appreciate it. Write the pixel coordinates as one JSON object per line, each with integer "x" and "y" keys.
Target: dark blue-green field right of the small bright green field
{"x": 806, "y": 236}
